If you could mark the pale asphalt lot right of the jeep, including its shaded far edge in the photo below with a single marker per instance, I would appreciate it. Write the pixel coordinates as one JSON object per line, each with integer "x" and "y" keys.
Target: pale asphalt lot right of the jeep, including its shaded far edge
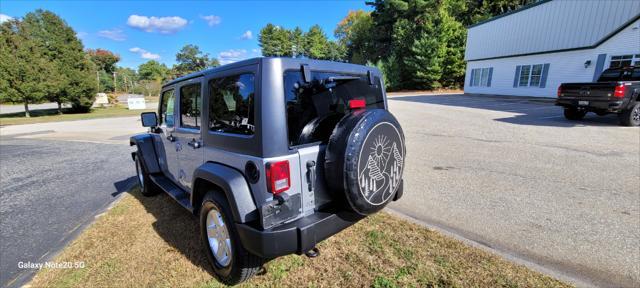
{"x": 514, "y": 175}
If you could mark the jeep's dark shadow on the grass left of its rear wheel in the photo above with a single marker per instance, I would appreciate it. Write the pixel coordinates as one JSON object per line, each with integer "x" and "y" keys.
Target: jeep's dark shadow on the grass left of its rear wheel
{"x": 176, "y": 226}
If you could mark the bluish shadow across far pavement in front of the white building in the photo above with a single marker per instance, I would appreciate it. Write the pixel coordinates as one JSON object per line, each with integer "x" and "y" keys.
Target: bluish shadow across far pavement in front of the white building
{"x": 529, "y": 110}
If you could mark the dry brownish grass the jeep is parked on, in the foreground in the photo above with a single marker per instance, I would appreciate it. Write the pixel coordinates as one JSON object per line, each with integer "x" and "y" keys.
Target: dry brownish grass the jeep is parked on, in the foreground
{"x": 152, "y": 242}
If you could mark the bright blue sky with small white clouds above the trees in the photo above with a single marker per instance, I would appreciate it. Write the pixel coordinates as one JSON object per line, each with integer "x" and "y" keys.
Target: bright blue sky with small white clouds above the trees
{"x": 139, "y": 31}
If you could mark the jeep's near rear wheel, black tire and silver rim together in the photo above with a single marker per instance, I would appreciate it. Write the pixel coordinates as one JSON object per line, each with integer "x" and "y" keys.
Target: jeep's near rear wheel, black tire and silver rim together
{"x": 231, "y": 263}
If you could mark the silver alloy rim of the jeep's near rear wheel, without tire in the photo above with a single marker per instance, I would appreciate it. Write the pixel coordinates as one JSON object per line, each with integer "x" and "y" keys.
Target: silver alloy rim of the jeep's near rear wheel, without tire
{"x": 218, "y": 237}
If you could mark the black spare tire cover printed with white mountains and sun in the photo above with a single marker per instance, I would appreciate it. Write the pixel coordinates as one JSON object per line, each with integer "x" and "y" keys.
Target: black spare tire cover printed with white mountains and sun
{"x": 365, "y": 159}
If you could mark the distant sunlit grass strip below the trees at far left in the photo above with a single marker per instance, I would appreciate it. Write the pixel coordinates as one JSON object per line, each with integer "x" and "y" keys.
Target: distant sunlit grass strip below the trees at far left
{"x": 51, "y": 115}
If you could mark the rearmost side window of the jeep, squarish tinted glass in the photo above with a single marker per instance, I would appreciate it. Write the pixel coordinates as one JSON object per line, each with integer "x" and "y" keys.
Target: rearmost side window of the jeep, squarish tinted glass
{"x": 231, "y": 101}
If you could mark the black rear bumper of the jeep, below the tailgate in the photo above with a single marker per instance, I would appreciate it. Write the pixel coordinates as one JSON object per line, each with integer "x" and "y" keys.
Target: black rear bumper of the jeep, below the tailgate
{"x": 296, "y": 237}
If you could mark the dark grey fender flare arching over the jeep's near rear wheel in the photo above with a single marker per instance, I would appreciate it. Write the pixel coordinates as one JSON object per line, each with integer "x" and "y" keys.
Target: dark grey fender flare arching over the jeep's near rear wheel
{"x": 233, "y": 185}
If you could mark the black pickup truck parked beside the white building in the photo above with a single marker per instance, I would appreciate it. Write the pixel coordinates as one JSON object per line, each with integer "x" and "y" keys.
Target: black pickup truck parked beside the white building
{"x": 617, "y": 91}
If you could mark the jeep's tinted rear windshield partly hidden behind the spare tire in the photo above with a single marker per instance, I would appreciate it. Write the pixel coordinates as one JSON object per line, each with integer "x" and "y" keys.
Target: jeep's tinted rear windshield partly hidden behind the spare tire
{"x": 323, "y": 101}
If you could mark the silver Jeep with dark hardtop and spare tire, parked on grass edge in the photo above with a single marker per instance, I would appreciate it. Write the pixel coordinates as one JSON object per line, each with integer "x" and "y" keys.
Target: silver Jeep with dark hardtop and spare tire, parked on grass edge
{"x": 273, "y": 154}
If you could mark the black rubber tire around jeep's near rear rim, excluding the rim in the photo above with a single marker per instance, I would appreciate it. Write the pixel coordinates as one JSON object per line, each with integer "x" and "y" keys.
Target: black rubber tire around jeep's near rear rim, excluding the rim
{"x": 242, "y": 264}
